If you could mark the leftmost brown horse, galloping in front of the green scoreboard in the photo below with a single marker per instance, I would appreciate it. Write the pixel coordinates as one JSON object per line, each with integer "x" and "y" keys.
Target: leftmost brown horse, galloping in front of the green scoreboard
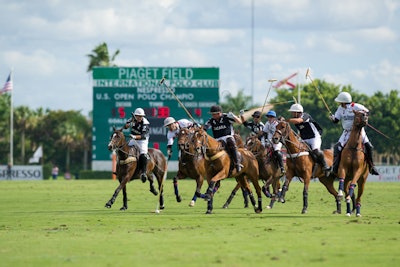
{"x": 127, "y": 160}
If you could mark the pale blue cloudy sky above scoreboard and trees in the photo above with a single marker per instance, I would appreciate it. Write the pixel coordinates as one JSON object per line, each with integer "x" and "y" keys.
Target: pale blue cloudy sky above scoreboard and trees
{"x": 344, "y": 42}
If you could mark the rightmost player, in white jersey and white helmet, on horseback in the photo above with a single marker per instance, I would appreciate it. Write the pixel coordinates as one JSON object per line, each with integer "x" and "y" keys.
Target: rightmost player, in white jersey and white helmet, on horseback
{"x": 345, "y": 114}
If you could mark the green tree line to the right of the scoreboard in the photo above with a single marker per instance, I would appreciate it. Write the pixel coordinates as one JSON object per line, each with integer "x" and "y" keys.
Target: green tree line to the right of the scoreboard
{"x": 383, "y": 129}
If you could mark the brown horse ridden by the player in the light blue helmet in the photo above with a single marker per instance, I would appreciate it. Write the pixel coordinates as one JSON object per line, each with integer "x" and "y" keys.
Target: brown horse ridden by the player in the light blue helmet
{"x": 268, "y": 169}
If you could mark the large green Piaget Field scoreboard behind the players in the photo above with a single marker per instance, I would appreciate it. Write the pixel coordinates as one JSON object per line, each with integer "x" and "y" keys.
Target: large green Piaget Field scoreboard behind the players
{"x": 118, "y": 91}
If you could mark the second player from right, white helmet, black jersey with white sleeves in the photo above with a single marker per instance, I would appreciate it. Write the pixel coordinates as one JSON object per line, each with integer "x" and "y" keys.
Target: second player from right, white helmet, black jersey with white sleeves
{"x": 310, "y": 132}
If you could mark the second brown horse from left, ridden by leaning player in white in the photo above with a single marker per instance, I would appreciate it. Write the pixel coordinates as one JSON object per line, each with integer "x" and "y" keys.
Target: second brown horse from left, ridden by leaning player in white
{"x": 191, "y": 164}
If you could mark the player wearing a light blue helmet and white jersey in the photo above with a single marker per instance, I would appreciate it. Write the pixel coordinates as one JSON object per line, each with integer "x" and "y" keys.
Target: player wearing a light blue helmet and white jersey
{"x": 268, "y": 131}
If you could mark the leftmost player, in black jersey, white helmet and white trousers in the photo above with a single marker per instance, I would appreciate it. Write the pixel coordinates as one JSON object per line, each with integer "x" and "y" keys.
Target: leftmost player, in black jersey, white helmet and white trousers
{"x": 140, "y": 133}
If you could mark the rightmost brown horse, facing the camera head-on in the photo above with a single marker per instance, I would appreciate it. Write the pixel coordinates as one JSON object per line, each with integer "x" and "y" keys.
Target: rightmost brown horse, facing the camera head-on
{"x": 353, "y": 167}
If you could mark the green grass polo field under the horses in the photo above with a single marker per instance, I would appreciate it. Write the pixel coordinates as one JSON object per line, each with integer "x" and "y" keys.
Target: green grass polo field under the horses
{"x": 64, "y": 223}
